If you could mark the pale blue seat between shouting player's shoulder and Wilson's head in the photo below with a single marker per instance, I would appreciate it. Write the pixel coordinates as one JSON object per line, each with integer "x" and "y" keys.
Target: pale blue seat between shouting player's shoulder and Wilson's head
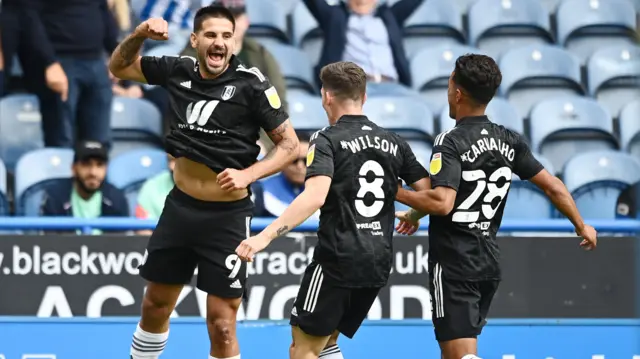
{"x": 306, "y": 112}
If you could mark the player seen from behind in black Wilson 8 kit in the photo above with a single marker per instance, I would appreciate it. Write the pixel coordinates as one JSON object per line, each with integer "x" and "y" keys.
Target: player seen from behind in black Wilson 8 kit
{"x": 352, "y": 176}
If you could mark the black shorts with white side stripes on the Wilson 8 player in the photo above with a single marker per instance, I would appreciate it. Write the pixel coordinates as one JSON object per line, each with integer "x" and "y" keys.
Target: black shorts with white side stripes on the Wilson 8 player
{"x": 322, "y": 308}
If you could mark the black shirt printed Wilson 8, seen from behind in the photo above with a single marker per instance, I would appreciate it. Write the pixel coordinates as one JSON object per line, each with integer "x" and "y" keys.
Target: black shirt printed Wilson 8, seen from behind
{"x": 357, "y": 219}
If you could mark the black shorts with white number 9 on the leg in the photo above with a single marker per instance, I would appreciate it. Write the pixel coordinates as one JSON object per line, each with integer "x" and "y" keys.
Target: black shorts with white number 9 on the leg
{"x": 193, "y": 233}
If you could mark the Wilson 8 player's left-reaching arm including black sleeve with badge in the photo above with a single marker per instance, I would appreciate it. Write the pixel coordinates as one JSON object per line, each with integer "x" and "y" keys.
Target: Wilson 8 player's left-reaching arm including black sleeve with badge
{"x": 316, "y": 187}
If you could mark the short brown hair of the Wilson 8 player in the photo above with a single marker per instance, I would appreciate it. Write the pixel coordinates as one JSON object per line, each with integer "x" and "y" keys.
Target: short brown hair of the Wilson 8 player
{"x": 345, "y": 80}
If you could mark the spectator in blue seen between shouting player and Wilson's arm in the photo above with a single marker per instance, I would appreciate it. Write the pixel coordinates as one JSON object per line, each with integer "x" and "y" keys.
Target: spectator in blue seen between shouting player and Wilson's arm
{"x": 281, "y": 189}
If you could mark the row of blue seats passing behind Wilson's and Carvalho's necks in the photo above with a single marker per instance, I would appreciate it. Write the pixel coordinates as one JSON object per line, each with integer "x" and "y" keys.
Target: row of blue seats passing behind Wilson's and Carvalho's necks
{"x": 558, "y": 128}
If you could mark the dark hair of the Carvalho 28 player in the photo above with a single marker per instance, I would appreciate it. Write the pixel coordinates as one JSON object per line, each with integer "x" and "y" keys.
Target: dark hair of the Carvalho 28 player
{"x": 479, "y": 76}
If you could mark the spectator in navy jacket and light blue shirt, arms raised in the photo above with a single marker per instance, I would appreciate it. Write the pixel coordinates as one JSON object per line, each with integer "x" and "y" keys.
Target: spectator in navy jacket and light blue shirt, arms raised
{"x": 366, "y": 33}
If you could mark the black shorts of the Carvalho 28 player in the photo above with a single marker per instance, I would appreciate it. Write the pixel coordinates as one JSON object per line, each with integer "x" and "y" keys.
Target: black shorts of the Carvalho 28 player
{"x": 459, "y": 308}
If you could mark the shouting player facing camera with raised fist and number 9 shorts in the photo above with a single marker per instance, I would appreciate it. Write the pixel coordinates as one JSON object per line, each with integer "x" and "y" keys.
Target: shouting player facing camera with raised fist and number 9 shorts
{"x": 217, "y": 109}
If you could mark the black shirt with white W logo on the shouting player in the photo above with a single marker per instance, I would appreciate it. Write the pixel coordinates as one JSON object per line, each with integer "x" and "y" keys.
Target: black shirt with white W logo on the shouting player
{"x": 215, "y": 122}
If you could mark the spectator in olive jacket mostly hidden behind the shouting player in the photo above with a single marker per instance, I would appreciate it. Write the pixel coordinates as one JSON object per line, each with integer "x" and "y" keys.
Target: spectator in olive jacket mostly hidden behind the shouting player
{"x": 252, "y": 54}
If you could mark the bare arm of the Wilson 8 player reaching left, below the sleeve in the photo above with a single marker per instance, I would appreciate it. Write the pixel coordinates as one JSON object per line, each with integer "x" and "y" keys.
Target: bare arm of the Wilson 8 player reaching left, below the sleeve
{"x": 307, "y": 203}
